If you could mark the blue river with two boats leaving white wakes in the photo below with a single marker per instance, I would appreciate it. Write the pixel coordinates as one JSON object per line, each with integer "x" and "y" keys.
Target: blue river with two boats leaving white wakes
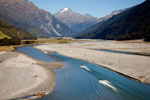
{"x": 81, "y": 80}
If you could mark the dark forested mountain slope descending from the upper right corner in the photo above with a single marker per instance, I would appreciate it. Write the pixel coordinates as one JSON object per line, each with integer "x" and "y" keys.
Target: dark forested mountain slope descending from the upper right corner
{"x": 133, "y": 23}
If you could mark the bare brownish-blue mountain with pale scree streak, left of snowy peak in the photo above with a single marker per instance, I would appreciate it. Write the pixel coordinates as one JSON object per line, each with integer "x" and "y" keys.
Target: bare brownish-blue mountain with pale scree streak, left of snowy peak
{"x": 25, "y": 15}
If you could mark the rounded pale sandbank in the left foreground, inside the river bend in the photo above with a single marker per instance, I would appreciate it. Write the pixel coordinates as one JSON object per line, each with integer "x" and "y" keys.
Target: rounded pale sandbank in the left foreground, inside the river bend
{"x": 22, "y": 76}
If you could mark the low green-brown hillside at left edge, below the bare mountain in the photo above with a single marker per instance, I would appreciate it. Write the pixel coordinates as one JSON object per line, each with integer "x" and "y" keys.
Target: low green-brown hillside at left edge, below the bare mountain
{"x": 8, "y": 31}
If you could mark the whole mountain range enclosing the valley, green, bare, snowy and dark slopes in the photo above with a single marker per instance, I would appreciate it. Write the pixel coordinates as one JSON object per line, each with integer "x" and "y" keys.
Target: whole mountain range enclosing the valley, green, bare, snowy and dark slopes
{"x": 20, "y": 18}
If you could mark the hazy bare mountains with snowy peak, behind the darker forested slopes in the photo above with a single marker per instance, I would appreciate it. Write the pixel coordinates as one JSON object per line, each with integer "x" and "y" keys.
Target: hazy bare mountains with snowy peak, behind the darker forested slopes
{"x": 39, "y": 23}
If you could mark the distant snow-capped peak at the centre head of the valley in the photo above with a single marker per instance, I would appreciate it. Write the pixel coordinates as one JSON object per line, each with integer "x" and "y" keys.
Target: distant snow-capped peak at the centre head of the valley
{"x": 77, "y": 22}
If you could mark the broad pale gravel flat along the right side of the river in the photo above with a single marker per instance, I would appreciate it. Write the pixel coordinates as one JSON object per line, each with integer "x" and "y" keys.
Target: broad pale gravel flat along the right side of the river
{"x": 134, "y": 66}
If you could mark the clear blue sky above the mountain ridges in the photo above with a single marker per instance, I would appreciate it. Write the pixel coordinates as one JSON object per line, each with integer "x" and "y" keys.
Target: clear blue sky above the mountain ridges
{"x": 97, "y": 8}
